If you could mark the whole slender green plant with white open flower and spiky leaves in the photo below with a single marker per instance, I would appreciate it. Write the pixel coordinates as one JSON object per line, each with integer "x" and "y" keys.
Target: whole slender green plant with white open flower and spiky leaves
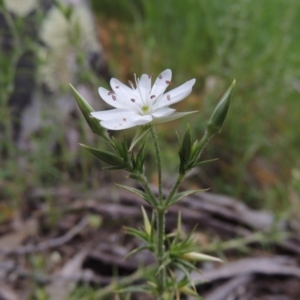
{"x": 143, "y": 106}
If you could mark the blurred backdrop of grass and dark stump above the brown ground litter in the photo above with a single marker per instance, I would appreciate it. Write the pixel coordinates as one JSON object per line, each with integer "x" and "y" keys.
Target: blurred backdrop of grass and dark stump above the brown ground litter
{"x": 47, "y": 44}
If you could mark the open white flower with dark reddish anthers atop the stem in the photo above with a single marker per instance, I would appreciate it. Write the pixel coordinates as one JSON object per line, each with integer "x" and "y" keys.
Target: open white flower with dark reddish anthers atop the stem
{"x": 142, "y": 104}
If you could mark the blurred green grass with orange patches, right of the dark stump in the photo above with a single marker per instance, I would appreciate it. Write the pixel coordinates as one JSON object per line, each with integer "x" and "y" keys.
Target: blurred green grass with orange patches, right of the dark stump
{"x": 257, "y": 43}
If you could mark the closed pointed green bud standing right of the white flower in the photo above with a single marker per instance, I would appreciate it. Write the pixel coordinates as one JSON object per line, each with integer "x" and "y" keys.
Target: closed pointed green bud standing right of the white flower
{"x": 218, "y": 117}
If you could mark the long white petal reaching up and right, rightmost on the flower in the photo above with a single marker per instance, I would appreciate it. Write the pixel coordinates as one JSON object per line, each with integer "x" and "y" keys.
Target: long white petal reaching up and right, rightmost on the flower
{"x": 175, "y": 95}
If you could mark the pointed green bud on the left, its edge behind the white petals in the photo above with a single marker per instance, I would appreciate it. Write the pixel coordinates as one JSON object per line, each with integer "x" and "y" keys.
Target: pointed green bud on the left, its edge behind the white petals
{"x": 86, "y": 110}
